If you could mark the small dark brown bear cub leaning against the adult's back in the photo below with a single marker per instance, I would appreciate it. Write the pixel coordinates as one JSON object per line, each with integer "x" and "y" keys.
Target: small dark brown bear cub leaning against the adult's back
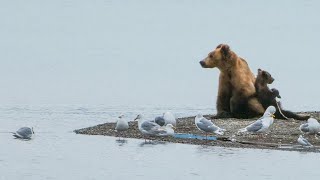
{"x": 267, "y": 96}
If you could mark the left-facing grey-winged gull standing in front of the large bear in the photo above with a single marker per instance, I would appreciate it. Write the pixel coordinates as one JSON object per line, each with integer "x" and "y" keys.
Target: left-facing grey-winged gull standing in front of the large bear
{"x": 207, "y": 126}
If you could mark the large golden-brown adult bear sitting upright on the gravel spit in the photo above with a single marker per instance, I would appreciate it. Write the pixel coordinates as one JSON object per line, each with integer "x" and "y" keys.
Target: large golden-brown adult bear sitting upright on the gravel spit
{"x": 236, "y": 92}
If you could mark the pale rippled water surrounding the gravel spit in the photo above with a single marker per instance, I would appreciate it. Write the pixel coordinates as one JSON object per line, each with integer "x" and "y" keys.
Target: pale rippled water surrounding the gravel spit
{"x": 57, "y": 153}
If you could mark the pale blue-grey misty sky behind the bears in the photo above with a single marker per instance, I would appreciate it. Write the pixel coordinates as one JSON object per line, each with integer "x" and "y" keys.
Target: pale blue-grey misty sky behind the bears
{"x": 148, "y": 52}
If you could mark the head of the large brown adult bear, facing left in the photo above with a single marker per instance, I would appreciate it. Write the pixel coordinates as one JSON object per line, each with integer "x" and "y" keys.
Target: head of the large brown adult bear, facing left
{"x": 221, "y": 58}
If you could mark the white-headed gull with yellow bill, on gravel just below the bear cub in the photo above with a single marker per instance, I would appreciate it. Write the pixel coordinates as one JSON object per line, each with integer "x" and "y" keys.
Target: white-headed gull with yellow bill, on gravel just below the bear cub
{"x": 262, "y": 124}
